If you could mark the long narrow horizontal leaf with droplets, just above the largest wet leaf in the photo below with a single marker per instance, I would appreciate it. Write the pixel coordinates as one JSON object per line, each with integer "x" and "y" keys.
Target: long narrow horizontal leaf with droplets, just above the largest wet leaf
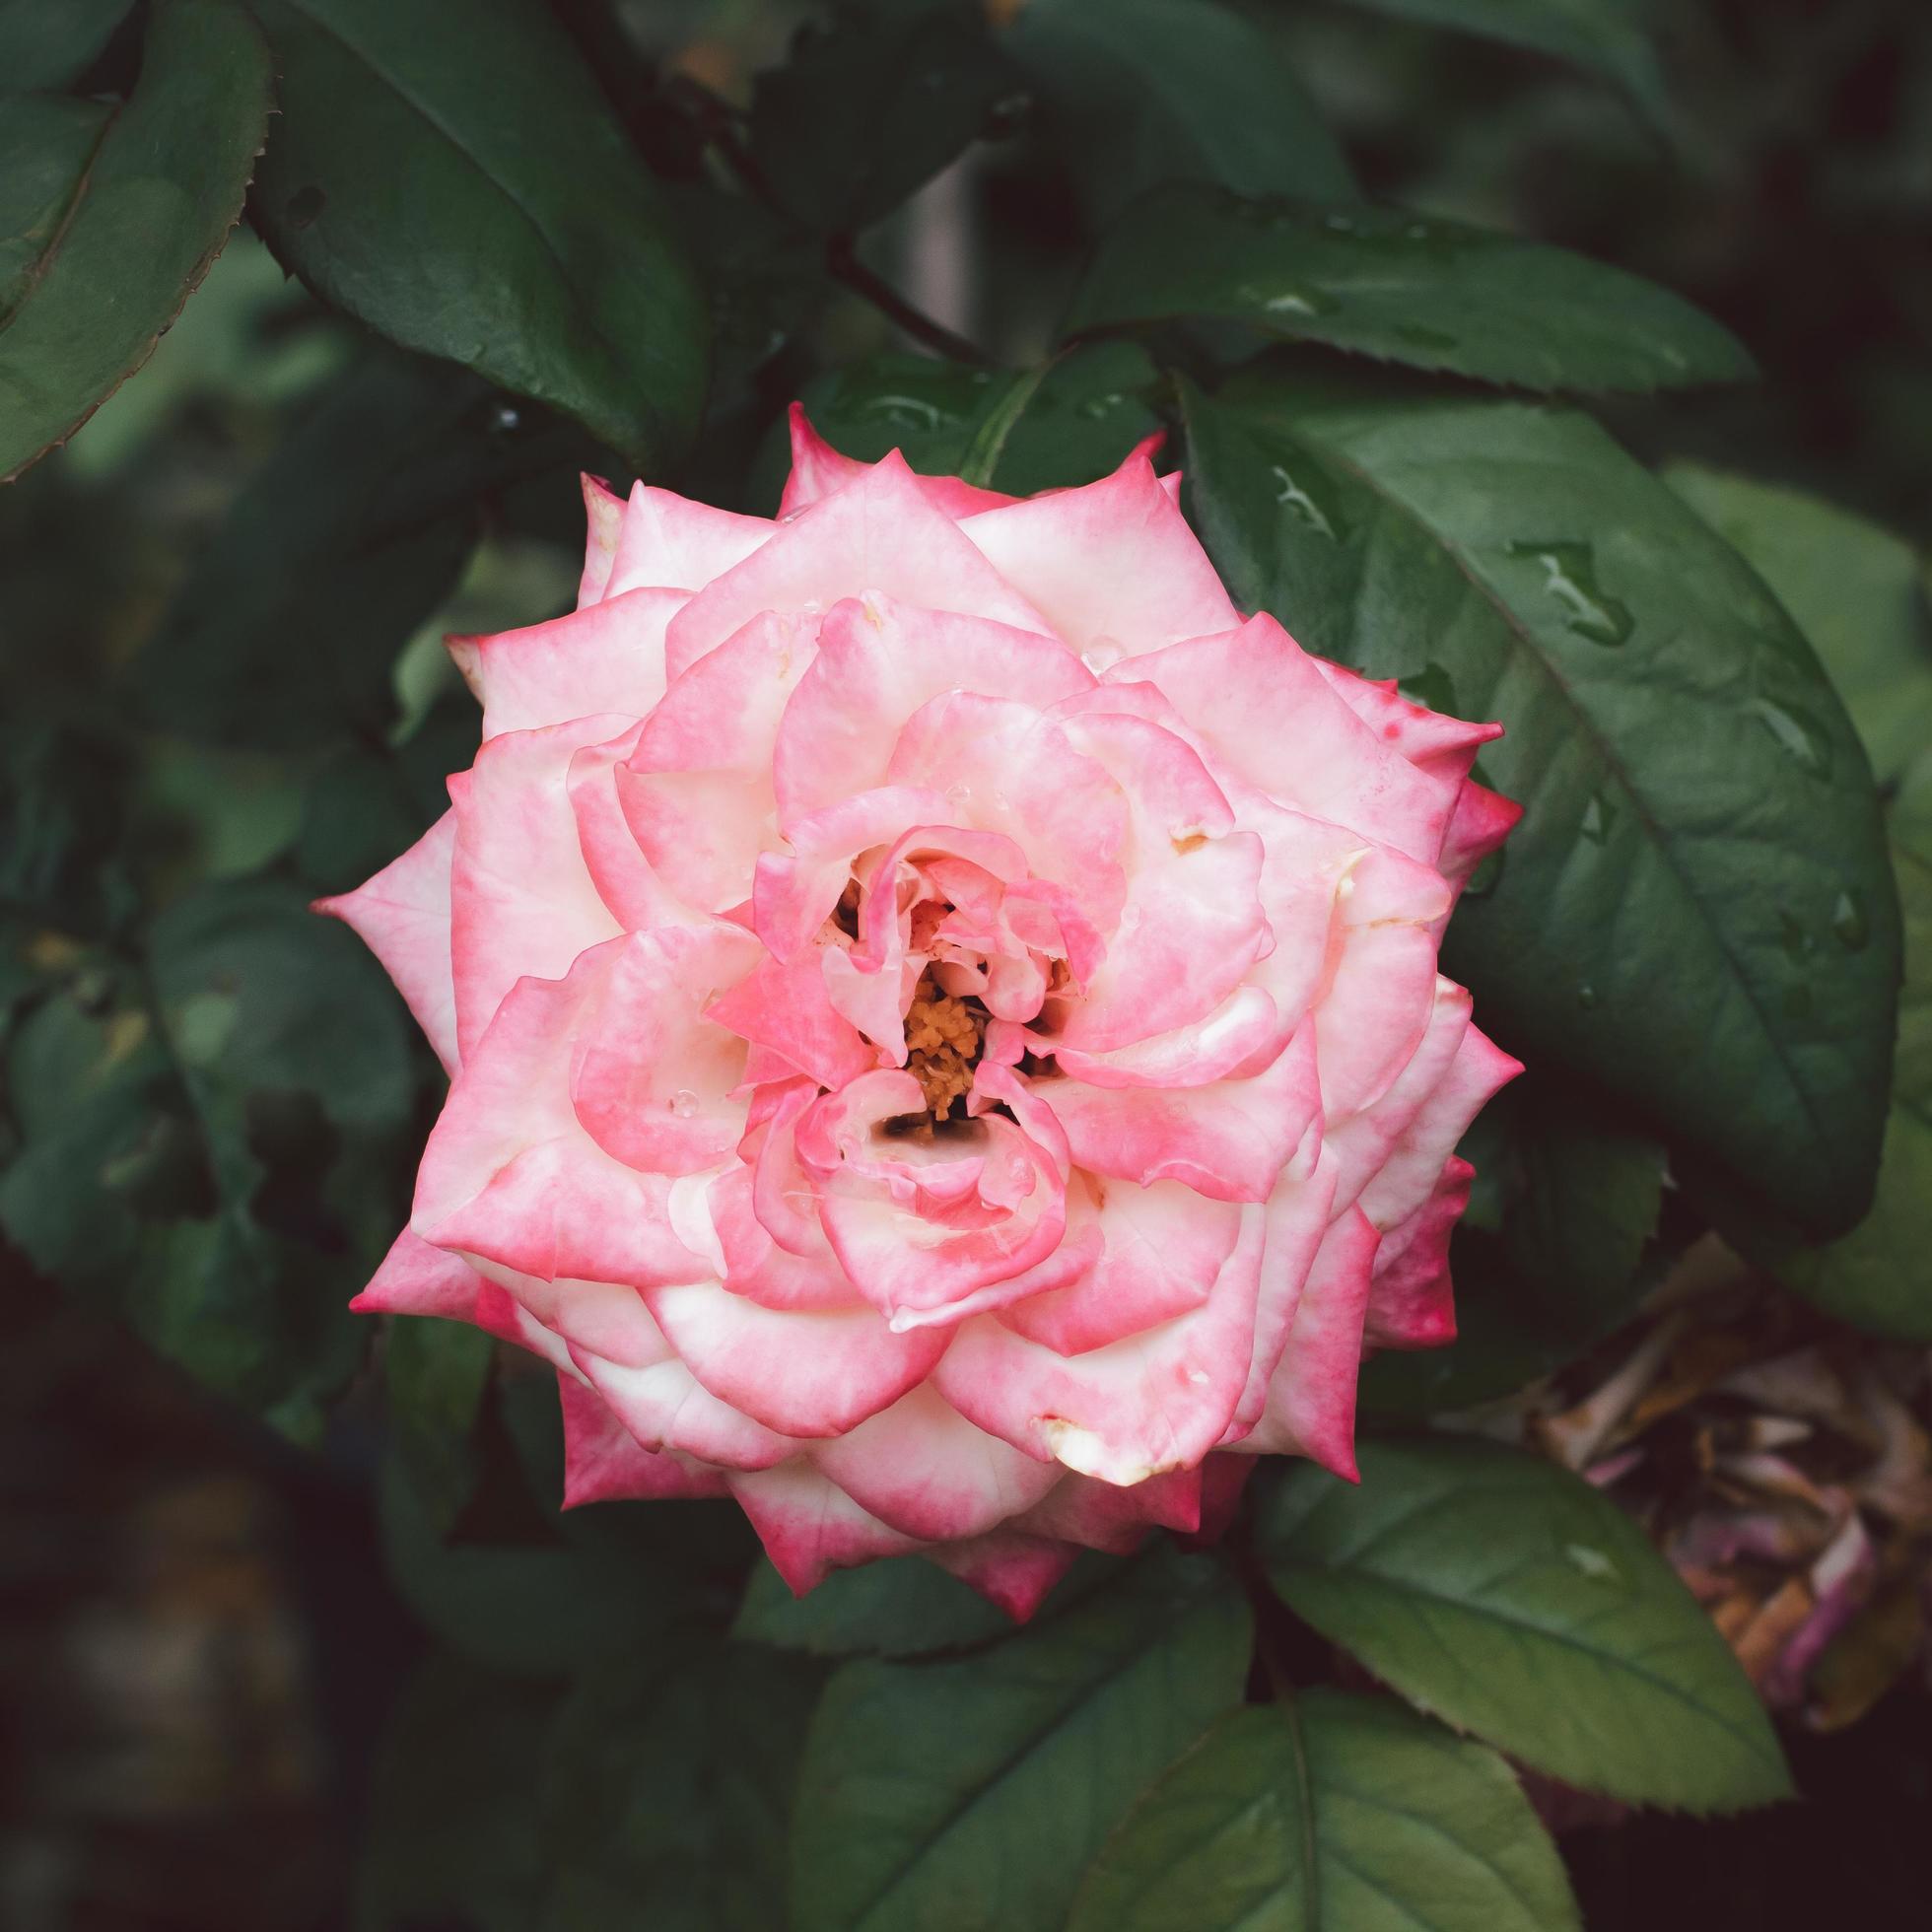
{"x": 1402, "y": 289}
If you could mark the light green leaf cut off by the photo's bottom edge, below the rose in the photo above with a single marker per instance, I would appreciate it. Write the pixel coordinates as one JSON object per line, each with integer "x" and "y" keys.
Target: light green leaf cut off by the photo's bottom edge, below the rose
{"x": 1330, "y": 1813}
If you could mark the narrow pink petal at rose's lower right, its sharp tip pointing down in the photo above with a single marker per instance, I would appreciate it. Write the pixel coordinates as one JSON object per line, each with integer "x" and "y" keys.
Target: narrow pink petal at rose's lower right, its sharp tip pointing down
{"x": 1311, "y": 1400}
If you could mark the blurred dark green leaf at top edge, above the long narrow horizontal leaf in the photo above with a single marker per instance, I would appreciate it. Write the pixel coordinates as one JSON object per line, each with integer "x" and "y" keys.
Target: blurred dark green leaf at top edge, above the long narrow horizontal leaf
{"x": 1151, "y": 92}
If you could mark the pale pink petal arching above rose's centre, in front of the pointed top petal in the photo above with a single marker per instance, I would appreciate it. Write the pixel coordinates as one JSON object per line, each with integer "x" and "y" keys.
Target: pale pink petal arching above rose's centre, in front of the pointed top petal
{"x": 878, "y": 664}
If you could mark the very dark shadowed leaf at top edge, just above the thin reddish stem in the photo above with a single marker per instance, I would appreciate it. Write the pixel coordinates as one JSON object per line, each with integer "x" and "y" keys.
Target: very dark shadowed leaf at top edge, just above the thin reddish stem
{"x": 928, "y": 76}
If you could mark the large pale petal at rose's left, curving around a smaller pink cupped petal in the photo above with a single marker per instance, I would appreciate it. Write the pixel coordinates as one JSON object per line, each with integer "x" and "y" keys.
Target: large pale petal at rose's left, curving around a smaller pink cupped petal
{"x": 511, "y": 1176}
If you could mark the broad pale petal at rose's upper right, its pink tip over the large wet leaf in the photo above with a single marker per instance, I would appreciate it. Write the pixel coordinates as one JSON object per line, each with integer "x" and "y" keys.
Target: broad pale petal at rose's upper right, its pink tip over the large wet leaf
{"x": 1270, "y": 720}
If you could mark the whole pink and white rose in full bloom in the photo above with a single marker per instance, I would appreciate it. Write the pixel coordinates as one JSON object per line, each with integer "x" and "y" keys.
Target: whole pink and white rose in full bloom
{"x": 944, "y": 1019}
